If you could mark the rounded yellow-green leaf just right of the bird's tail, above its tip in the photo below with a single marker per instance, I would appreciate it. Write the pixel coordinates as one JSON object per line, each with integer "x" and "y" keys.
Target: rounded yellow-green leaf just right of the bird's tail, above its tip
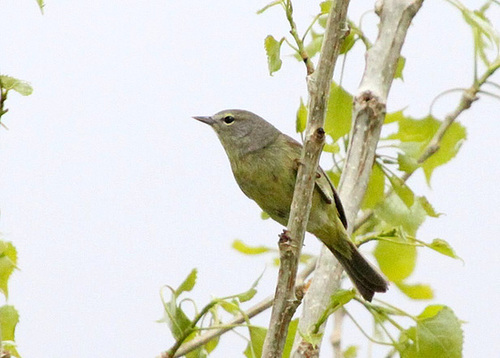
{"x": 396, "y": 260}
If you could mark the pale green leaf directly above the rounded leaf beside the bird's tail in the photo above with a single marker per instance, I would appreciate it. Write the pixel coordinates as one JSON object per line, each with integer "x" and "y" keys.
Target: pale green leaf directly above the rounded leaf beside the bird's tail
{"x": 395, "y": 213}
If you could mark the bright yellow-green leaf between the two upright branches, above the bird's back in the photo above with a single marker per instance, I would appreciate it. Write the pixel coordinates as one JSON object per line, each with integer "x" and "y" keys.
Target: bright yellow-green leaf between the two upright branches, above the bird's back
{"x": 339, "y": 112}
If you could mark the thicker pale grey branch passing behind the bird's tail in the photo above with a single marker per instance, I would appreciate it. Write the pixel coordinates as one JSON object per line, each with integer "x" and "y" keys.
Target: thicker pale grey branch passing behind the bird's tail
{"x": 368, "y": 116}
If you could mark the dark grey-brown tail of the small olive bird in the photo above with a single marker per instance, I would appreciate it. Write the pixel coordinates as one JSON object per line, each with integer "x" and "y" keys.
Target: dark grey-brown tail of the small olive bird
{"x": 364, "y": 276}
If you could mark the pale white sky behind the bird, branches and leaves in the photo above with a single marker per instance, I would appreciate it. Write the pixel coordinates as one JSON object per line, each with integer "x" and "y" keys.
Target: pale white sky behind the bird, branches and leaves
{"x": 110, "y": 190}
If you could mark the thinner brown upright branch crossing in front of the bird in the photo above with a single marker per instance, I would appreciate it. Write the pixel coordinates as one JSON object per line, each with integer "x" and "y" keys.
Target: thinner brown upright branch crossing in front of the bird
{"x": 285, "y": 302}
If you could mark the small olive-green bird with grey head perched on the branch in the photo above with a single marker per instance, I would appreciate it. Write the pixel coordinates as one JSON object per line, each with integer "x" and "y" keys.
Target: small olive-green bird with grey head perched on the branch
{"x": 264, "y": 163}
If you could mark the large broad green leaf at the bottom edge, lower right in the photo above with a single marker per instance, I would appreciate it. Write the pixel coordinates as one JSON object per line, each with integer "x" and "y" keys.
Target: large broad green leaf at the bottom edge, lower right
{"x": 438, "y": 333}
